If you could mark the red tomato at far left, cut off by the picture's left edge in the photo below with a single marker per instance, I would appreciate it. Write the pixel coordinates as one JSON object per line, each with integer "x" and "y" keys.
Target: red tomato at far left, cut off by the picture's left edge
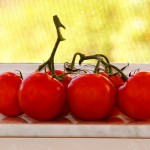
{"x": 9, "y": 86}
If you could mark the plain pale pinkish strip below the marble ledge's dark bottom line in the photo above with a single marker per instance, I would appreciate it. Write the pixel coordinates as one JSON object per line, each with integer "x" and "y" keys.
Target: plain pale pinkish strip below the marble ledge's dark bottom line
{"x": 73, "y": 144}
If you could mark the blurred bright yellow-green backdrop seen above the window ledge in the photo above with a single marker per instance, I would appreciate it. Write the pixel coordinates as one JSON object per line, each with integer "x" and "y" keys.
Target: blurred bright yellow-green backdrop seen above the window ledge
{"x": 120, "y": 29}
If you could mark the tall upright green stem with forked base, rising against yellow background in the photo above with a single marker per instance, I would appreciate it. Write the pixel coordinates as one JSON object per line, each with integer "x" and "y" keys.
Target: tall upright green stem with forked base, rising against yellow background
{"x": 50, "y": 61}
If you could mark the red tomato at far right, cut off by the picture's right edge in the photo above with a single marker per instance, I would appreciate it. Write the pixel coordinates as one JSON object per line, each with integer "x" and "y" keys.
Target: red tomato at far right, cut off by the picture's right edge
{"x": 134, "y": 96}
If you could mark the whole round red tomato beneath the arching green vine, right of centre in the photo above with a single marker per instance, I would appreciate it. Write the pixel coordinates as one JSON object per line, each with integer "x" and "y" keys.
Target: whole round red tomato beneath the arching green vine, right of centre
{"x": 91, "y": 96}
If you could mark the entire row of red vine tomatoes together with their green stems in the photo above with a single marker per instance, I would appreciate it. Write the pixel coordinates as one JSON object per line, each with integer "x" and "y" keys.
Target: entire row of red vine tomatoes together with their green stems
{"x": 44, "y": 95}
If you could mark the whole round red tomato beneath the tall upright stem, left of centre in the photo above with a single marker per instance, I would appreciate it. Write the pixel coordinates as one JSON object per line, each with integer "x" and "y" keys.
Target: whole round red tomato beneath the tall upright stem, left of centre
{"x": 41, "y": 97}
